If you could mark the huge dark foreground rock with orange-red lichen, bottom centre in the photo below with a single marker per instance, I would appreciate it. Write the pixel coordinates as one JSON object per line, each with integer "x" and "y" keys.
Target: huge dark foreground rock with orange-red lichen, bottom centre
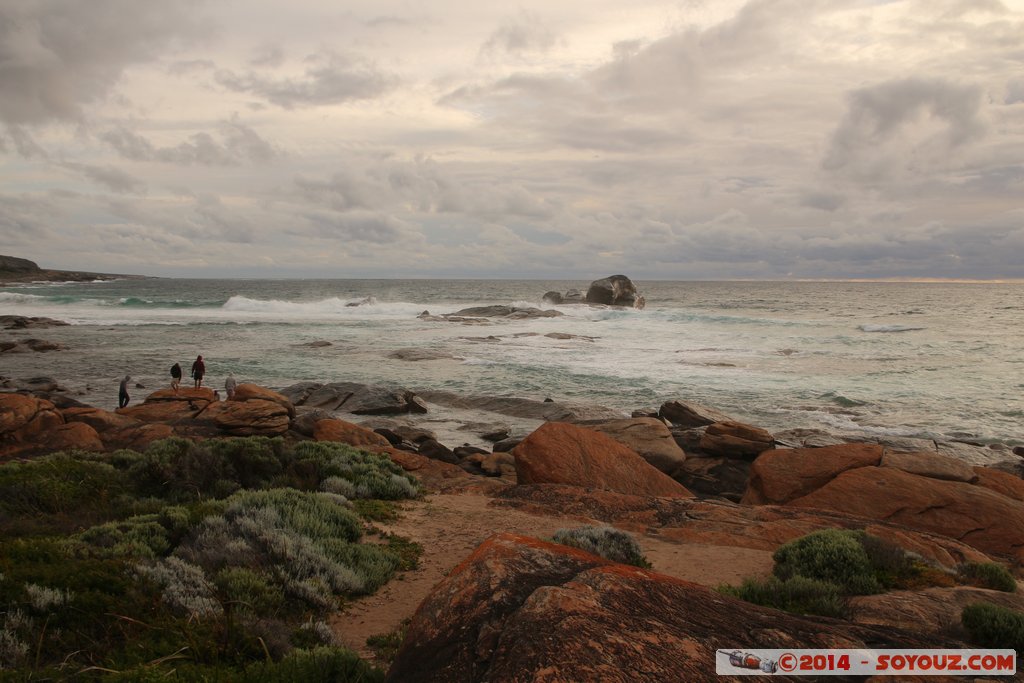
{"x": 523, "y": 610}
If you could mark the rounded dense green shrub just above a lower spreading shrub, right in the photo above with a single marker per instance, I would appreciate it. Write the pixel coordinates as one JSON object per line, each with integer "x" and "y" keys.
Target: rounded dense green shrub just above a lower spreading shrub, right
{"x": 835, "y": 557}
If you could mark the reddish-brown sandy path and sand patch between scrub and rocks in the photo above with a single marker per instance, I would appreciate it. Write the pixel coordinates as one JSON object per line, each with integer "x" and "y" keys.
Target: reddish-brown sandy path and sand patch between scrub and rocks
{"x": 451, "y": 526}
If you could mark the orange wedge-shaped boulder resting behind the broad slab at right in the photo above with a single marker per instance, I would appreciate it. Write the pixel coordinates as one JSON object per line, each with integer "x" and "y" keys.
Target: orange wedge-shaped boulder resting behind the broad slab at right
{"x": 782, "y": 476}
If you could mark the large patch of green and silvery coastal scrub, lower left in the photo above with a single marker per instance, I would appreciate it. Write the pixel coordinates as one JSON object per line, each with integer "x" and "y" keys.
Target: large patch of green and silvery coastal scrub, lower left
{"x": 209, "y": 562}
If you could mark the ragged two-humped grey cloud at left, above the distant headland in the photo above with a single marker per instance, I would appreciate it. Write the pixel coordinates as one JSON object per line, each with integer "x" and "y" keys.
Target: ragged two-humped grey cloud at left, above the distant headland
{"x": 238, "y": 145}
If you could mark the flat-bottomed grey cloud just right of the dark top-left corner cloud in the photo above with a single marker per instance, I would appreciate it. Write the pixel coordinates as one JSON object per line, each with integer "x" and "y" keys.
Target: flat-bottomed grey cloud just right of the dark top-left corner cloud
{"x": 331, "y": 79}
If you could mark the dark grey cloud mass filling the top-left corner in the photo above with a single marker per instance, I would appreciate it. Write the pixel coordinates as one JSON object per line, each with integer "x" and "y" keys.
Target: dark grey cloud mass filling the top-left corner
{"x": 57, "y": 56}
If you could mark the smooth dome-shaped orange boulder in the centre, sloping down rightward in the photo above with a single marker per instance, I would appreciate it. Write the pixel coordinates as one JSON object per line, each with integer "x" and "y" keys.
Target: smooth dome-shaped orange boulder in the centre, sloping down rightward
{"x": 561, "y": 453}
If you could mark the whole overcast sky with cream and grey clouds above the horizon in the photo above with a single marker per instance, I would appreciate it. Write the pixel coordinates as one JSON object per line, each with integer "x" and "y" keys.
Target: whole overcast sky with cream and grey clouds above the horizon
{"x": 696, "y": 140}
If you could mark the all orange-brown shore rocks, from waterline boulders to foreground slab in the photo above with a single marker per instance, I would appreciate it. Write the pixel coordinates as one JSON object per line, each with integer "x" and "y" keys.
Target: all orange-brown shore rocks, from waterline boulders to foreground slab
{"x": 685, "y": 475}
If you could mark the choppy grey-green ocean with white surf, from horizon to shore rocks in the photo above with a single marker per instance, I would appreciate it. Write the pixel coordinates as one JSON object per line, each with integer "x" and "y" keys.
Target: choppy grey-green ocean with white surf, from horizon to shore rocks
{"x": 941, "y": 361}
